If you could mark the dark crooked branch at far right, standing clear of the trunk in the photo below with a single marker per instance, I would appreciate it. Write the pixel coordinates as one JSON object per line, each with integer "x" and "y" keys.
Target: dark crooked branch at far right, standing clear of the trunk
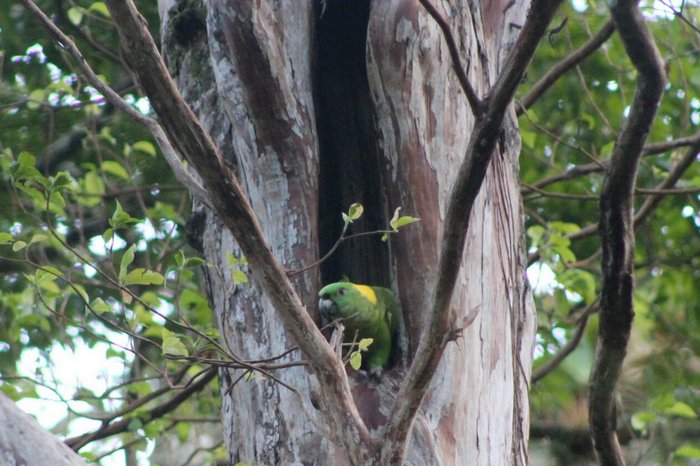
{"x": 617, "y": 229}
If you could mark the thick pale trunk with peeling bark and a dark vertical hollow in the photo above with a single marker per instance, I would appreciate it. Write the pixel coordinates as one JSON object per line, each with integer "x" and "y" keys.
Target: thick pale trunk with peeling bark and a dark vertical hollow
{"x": 317, "y": 107}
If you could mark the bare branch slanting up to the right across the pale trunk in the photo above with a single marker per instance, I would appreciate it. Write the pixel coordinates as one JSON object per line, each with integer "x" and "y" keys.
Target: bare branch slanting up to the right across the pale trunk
{"x": 470, "y": 177}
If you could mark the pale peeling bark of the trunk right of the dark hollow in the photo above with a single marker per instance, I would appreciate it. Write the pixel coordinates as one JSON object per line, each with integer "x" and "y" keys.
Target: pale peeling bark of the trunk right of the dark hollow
{"x": 424, "y": 126}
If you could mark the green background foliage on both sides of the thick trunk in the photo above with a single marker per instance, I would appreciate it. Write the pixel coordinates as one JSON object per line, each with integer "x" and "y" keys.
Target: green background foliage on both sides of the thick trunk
{"x": 98, "y": 248}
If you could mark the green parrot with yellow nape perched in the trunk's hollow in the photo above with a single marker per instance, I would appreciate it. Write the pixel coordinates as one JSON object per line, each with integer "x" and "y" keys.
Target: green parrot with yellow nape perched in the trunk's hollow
{"x": 366, "y": 312}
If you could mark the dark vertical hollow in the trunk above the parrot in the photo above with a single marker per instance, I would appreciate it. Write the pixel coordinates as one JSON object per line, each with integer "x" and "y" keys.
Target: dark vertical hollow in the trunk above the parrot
{"x": 350, "y": 168}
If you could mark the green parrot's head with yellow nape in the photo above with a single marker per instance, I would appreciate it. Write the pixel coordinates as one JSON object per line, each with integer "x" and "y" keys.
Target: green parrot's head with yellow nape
{"x": 342, "y": 299}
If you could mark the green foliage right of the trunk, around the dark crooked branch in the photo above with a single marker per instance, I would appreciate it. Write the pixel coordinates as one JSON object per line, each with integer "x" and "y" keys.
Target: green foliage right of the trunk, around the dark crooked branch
{"x": 571, "y": 127}
